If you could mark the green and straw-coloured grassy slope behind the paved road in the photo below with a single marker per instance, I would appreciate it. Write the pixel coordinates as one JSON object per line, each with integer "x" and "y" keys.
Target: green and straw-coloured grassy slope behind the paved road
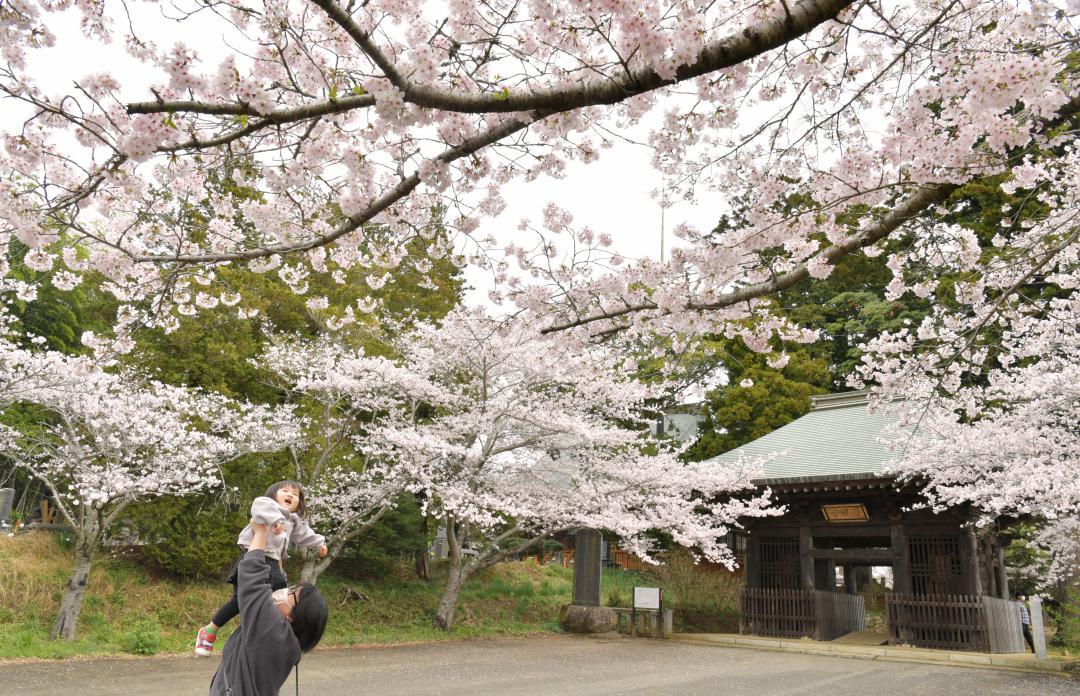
{"x": 129, "y": 610}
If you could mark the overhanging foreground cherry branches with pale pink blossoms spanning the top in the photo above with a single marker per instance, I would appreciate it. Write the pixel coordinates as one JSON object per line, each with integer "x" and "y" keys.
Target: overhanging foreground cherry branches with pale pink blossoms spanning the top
{"x": 845, "y": 127}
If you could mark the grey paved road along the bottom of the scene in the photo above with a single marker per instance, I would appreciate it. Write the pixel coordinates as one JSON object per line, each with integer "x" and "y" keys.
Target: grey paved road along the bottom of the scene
{"x": 557, "y": 666}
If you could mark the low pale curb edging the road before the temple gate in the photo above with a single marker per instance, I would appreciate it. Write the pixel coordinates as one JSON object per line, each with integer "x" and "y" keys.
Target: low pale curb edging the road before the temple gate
{"x": 882, "y": 653}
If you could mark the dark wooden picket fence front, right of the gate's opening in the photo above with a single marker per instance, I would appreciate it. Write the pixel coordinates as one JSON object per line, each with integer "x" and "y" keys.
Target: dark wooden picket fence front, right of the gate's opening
{"x": 944, "y": 622}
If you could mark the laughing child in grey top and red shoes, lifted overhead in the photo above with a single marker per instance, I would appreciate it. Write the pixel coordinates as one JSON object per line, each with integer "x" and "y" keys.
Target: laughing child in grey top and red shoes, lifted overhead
{"x": 283, "y": 510}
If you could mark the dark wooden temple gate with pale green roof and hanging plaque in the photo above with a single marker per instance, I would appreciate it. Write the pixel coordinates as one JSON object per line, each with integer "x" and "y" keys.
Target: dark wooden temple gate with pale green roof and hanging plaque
{"x": 845, "y": 517}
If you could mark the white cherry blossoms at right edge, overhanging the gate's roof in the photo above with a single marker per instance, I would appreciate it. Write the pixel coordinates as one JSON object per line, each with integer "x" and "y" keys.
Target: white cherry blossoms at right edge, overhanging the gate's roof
{"x": 989, "y": 385}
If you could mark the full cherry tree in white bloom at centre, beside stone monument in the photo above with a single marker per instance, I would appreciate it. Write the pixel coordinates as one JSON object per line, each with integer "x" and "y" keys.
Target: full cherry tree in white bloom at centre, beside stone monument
{"x": 531, "y": 437}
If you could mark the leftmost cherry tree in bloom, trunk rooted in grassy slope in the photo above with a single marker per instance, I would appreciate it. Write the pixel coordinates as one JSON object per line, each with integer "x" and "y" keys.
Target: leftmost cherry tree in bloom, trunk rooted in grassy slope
{"x": 107, "y": 440}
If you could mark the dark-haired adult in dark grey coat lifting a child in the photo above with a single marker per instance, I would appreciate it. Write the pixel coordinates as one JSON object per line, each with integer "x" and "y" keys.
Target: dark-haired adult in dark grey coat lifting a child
{"x": 273, "y": 635}
